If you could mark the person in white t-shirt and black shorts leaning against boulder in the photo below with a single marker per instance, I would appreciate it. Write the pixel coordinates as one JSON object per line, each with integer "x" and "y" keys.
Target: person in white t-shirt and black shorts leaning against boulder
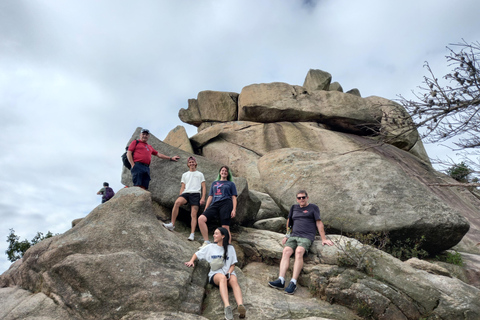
{"x": 193, "y": 186}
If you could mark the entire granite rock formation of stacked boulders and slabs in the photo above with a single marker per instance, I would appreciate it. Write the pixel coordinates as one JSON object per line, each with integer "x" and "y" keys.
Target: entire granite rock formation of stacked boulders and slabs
{"x": 359, "y": 158}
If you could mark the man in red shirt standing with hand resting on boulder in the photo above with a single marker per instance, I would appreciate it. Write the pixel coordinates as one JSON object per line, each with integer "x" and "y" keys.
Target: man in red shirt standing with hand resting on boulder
{"x": 139, "y": 155}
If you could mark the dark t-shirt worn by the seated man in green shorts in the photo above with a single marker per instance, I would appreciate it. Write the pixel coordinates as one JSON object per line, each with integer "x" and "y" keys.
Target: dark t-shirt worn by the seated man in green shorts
{"x": 304, "y": 220}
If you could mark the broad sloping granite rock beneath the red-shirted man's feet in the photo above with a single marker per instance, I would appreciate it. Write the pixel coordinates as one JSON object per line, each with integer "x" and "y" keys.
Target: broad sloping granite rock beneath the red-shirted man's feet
{"x": 117, "y": 260}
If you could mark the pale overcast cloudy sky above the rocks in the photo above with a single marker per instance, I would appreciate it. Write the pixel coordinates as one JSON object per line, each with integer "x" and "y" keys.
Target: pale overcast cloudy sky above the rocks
{"x": 78, "y": 77}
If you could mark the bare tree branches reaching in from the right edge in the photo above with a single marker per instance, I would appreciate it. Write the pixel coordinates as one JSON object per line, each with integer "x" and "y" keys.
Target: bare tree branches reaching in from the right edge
{"x": 450, "y": 109}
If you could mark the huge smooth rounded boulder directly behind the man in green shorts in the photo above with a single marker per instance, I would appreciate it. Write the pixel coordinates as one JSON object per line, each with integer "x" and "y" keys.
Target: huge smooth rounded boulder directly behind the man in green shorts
{"x": 369, "y": 188}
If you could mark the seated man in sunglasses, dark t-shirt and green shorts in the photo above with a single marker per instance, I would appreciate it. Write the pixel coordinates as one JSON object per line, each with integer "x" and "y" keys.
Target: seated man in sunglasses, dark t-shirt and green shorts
{"x": 305, "y": 218}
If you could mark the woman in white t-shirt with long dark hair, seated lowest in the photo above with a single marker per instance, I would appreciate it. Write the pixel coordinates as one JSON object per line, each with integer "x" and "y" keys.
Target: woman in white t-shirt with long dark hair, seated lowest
{"x": 222, "y": 258}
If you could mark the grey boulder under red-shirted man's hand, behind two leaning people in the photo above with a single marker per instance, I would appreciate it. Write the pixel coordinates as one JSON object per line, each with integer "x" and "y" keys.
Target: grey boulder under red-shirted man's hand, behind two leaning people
{"x": 166, "y": 176}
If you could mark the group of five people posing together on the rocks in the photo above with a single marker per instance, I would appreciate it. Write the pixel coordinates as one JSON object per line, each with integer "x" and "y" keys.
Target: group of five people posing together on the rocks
{"x": 302, "y": 224}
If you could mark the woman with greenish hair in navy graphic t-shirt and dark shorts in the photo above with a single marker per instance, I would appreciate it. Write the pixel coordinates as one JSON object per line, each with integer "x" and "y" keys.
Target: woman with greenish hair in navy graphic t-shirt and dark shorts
{"x": 221, "y": 203}
